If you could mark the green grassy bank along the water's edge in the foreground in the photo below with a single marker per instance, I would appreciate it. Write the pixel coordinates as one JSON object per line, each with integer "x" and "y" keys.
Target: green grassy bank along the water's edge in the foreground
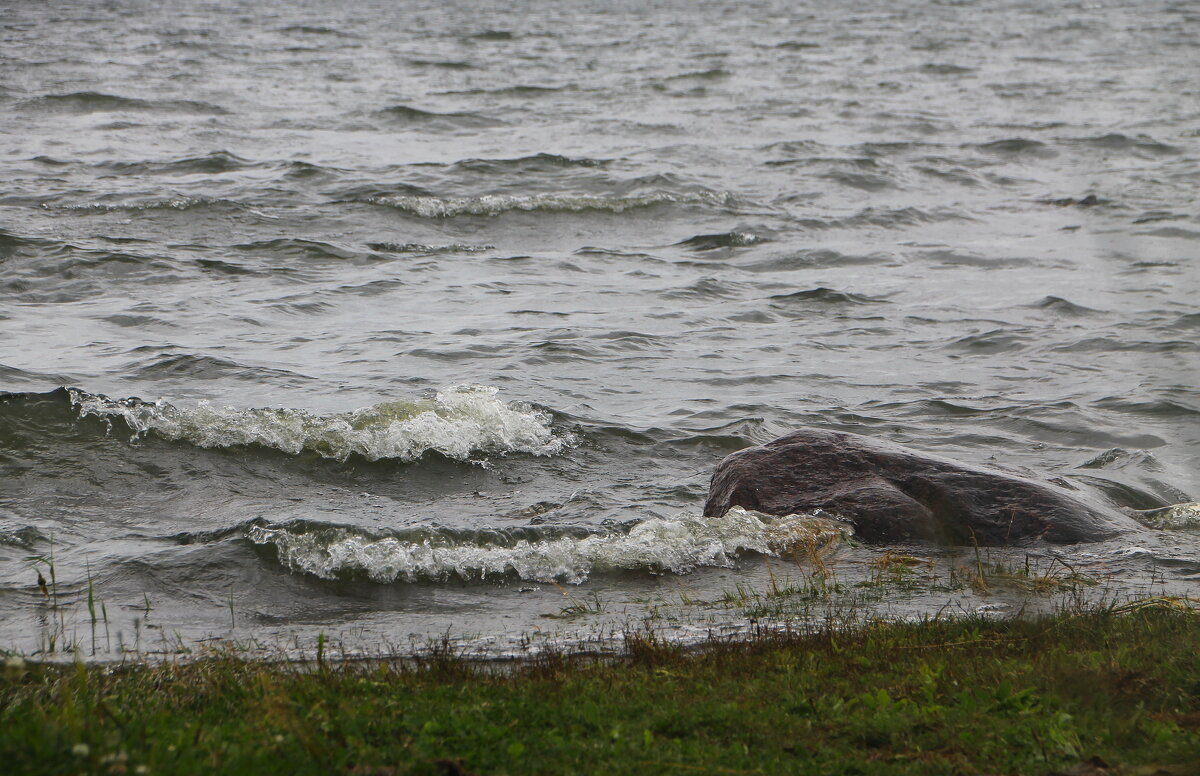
{"x": 944, "y": 697}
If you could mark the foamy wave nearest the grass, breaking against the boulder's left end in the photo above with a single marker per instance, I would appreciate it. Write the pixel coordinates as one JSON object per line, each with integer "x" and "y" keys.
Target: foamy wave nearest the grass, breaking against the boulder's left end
{"x": 675, "y": 545}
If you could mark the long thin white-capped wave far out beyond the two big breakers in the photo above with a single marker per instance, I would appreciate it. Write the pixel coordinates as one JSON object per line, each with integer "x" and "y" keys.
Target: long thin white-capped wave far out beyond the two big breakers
{"x": 497, "y": 204}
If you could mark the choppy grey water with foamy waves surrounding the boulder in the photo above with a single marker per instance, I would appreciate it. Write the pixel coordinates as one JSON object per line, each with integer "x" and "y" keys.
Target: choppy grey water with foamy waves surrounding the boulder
{"x": 398, "y": 320}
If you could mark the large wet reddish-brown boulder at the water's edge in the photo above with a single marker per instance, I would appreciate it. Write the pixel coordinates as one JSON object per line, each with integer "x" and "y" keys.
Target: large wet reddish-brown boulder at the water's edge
{"x": 893, "y": 495}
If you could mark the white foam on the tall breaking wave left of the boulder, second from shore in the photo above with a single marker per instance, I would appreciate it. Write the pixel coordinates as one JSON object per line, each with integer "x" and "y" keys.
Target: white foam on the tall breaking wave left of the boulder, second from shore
{"x": 459, "y": 423}
